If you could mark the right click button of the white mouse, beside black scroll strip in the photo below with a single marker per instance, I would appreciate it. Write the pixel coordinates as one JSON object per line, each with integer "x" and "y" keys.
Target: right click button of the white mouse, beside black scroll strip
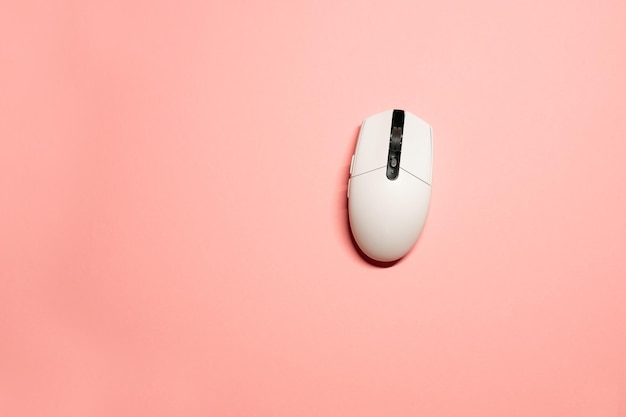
{"x": 417, "y": 148}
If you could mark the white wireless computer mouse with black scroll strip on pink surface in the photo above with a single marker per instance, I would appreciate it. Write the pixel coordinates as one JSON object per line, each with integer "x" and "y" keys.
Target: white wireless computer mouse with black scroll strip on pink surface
{"x": 390, "y": 183}
